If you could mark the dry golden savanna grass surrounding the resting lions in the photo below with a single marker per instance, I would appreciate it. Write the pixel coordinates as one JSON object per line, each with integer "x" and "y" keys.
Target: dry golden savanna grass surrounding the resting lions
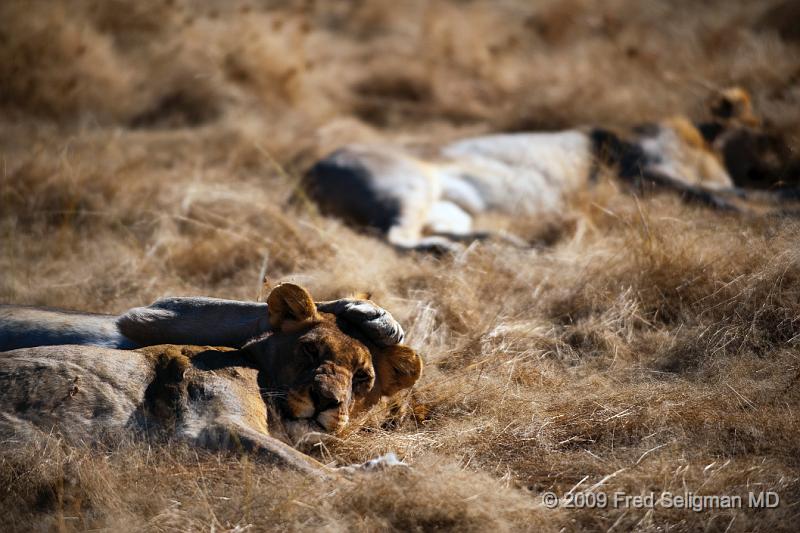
{"x": 153, "y": 147}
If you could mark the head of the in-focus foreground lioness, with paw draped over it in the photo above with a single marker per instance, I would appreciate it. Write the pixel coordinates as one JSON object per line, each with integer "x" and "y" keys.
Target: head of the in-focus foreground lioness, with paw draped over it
{"x": 320, "y": 370}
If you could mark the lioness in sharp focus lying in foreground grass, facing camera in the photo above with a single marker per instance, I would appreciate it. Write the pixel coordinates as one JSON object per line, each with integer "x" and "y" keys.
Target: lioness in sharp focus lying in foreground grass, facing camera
{"x": 311, "y": 371}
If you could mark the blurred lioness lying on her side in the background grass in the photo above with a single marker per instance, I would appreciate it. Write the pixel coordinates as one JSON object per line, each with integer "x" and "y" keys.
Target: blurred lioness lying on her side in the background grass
{"x": 427, "y": 198}
